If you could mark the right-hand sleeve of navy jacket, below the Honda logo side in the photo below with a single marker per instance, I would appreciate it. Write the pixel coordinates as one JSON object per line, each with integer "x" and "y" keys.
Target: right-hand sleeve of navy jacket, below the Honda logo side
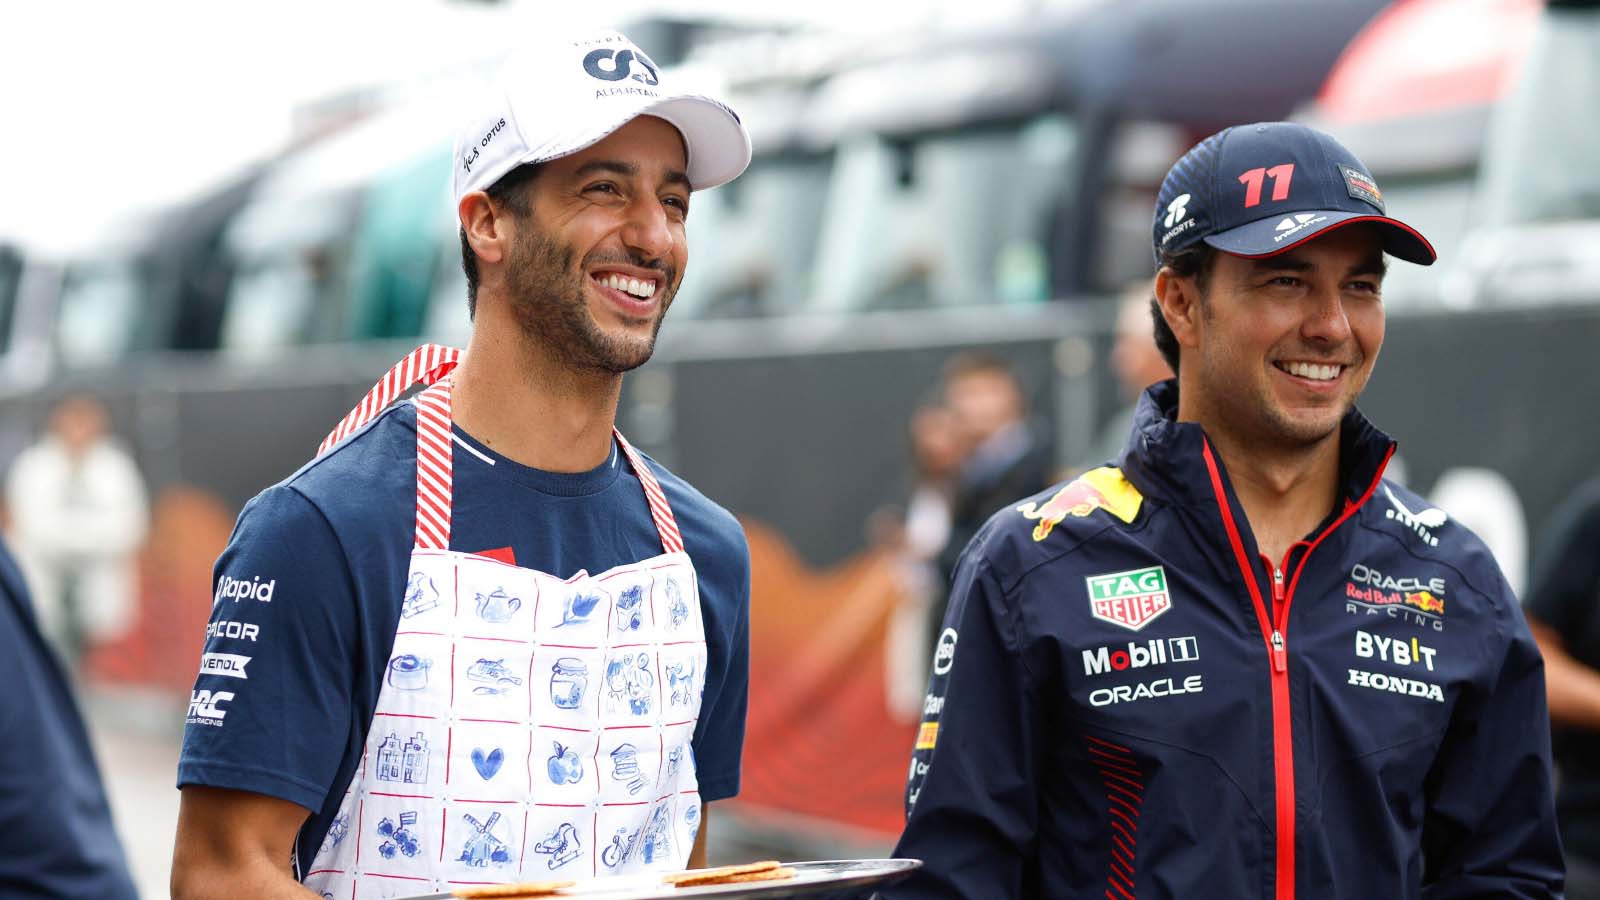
{"x": 1490, "y": 826}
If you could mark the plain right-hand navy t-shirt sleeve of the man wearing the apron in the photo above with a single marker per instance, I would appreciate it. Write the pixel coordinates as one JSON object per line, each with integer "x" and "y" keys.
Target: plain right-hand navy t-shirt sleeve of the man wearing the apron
{"x": 719, "y": 736}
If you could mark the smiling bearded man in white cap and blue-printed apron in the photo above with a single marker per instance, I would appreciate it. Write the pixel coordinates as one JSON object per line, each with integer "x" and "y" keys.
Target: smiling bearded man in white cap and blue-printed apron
{"x": 481, "y": 638}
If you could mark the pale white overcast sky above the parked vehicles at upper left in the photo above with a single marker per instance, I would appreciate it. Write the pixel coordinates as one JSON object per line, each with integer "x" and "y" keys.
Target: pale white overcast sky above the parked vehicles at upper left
{"x": 121, "y": 105}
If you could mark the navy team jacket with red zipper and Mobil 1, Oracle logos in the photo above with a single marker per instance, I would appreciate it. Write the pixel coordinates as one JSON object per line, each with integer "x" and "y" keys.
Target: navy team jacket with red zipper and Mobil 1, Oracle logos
{"x": 1130, "y": 702}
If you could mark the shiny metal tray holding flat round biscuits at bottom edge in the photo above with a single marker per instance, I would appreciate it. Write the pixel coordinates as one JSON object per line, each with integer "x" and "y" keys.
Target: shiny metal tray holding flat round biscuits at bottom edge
{"x": 810, "y": 878}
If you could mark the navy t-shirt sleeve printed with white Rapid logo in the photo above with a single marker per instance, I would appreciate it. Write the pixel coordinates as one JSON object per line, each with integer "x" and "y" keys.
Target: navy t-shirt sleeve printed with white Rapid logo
{"x": 273, "y": 705}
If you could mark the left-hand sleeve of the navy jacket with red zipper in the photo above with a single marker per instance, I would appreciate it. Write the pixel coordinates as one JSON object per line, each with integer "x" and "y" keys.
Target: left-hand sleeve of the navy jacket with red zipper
{"x": 974, "y": 794}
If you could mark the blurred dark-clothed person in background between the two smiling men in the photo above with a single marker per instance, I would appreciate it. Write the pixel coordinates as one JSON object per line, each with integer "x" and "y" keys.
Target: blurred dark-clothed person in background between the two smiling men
{"x": 1002, "y": 456}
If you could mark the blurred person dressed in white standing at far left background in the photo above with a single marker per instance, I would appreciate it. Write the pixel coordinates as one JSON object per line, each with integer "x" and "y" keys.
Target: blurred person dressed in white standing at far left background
{"x": 78, "y": 516}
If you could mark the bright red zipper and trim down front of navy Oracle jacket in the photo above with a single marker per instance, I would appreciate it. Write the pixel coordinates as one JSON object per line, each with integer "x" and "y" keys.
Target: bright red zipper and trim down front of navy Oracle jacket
{"x": 1273, "y": 629}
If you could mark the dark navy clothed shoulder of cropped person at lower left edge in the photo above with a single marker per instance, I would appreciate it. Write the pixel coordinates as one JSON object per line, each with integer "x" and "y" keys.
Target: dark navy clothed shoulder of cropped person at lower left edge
{"x": 57, "y": 835}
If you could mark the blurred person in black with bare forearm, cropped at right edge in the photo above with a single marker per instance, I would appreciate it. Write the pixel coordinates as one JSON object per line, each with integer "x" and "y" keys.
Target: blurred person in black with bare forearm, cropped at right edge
{"x": 1564, "y": 611}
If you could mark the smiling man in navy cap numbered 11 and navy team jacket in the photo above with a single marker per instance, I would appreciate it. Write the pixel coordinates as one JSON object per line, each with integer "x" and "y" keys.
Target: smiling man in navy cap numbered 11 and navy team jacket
{"x": 1238, "y": 662}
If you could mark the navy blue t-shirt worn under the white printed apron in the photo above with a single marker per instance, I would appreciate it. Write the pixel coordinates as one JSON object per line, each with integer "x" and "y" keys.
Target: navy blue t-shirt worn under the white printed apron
{"x": 308, "y": 600}
